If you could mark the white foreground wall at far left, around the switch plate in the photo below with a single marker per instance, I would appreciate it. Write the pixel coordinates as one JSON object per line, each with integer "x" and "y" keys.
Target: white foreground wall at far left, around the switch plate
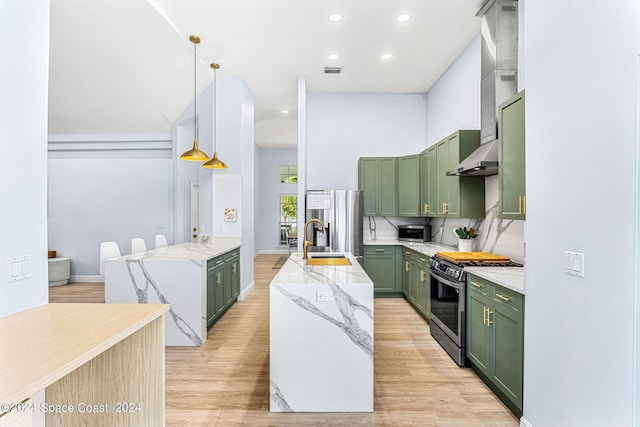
{"x": 23, "y": 120}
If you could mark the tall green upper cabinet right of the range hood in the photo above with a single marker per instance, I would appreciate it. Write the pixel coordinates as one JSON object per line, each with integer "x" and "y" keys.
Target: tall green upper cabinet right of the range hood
{"x": 511, "y": 164}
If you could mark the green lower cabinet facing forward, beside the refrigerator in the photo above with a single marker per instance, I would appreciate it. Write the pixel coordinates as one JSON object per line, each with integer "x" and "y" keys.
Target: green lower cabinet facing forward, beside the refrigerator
{"x": 381, "y": 265}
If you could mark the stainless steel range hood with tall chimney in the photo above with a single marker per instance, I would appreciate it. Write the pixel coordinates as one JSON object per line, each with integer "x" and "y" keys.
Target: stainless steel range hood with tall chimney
{"x": 499, "y": 63}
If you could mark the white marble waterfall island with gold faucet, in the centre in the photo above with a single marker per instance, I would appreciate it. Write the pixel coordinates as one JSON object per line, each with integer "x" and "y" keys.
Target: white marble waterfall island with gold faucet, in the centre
{"x": 321, "y": 338}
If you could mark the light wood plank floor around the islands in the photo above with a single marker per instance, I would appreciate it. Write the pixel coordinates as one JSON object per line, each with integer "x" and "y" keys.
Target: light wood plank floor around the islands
{"x": 226, "y": 381}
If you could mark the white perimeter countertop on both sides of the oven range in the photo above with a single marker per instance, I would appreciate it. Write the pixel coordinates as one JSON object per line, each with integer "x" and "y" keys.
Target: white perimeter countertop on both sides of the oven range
{"x": 509, "y": 277}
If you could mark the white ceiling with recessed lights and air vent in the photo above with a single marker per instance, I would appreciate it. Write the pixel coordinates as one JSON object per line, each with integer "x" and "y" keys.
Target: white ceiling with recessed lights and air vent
{"x": 126, "y": 66}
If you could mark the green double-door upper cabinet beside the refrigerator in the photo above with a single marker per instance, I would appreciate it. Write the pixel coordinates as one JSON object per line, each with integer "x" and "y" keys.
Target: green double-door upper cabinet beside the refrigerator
{"x": 377, "y": 179}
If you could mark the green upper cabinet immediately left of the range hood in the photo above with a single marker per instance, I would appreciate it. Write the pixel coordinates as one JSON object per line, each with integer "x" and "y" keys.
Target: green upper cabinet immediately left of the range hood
{"x": 458, "y": 197}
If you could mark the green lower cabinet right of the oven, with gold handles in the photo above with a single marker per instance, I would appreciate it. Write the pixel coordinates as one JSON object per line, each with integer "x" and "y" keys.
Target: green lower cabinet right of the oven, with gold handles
{"x": 495, "y": 338}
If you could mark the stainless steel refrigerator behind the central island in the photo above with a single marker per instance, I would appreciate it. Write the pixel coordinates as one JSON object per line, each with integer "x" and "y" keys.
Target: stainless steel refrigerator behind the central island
{"x": 341, "y": 211}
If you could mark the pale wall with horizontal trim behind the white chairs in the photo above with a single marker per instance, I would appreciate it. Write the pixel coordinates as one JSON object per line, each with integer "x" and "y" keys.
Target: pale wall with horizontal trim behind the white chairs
{"x": 107, "y": 188}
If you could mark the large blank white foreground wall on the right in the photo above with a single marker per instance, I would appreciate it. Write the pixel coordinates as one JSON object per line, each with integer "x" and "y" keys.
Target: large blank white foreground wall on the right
{"x": 582, "y": 107}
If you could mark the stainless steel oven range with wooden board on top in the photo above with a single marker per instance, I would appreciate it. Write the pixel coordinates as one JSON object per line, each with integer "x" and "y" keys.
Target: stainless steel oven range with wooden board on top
{"x": 448, "y": 303}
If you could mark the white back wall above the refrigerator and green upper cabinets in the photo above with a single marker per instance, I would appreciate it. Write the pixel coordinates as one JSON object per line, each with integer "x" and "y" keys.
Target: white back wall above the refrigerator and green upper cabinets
{"x": 342, "y": 127}
